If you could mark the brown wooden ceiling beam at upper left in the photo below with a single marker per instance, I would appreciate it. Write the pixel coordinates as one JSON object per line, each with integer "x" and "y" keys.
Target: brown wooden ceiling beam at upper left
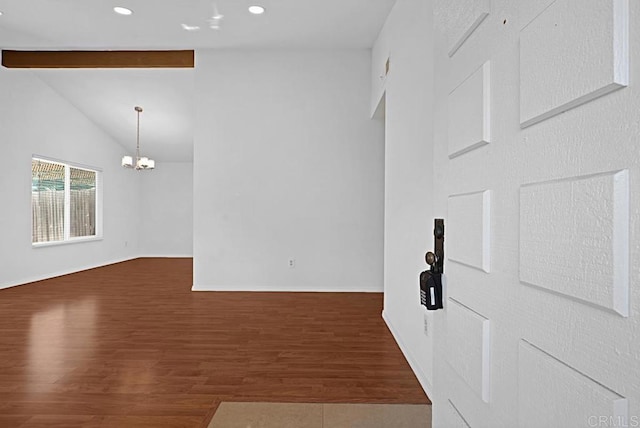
{"x": 98, "y": 59}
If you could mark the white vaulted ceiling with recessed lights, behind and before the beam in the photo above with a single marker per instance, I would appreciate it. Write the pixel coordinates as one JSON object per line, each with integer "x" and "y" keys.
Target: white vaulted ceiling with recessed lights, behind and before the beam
{"x": 107, "y": 96}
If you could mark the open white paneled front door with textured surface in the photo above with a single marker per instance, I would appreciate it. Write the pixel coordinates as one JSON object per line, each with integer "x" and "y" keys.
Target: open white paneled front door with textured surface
{"x": 537, "y": 174}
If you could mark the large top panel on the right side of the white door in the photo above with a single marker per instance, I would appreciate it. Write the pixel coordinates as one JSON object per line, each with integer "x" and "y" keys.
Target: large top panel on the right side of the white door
{"x": 556, "y": 46}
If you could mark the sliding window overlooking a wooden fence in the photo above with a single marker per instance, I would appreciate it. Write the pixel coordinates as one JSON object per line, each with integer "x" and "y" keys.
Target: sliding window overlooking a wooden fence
{"x": 64, "y": 202}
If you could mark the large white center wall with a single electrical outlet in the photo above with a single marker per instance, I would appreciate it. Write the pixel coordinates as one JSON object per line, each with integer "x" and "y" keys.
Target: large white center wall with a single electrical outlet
{"x": 287, "y": 165}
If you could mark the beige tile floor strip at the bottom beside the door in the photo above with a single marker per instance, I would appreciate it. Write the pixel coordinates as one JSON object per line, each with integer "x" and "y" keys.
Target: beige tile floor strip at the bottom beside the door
{"x": 283, "y": 415}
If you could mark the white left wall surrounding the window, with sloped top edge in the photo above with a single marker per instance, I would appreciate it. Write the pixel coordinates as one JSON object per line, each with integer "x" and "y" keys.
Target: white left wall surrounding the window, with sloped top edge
{"x": 36, "y": 120}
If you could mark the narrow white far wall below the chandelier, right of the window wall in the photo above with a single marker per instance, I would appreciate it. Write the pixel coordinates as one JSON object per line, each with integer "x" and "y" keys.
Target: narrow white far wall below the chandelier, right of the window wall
{"x": 166, "y": 206}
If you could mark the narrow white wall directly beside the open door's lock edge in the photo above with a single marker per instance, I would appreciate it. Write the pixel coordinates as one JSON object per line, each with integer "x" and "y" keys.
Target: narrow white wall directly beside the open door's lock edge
{"x": 408, "y": 228}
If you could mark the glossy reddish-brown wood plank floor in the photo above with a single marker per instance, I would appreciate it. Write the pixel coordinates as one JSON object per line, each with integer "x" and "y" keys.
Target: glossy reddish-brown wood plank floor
{"x": 129, "y": 345}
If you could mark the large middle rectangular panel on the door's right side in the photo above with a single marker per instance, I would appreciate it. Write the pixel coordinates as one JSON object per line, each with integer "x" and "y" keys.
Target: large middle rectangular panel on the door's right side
{"x": 574, "y": 238}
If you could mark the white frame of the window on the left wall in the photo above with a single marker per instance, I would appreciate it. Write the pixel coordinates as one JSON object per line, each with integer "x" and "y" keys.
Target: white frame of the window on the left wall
{"x": 67, "y": 239}
